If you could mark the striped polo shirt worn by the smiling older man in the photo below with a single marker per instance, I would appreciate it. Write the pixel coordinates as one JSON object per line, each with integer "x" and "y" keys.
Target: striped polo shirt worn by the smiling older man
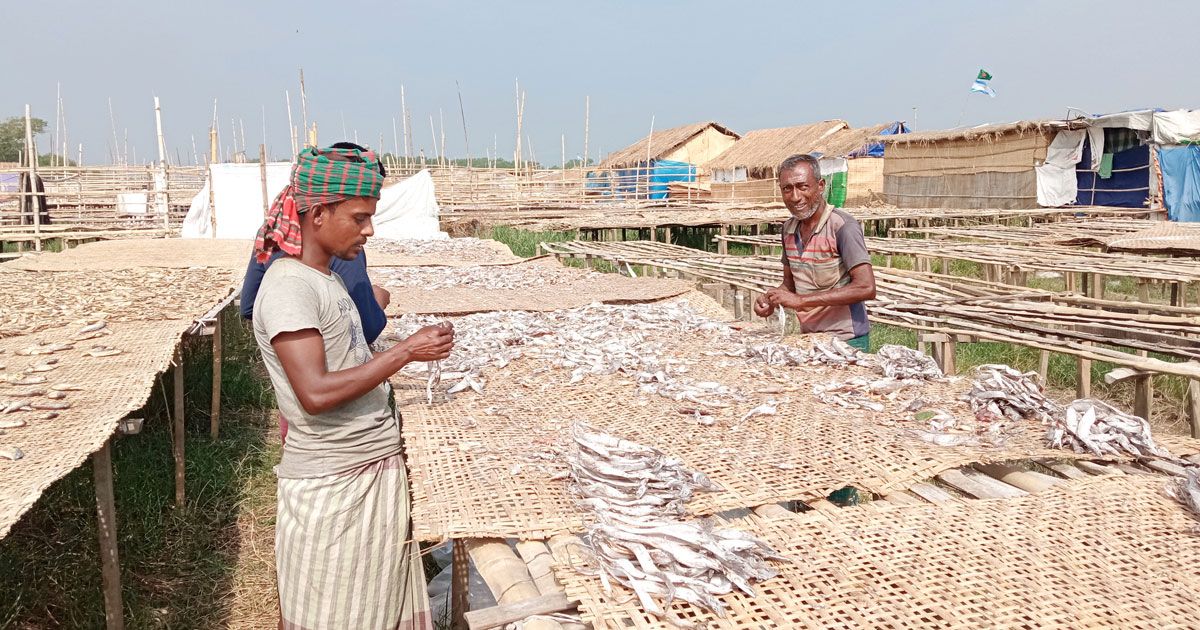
{"x": 824, "y": 263}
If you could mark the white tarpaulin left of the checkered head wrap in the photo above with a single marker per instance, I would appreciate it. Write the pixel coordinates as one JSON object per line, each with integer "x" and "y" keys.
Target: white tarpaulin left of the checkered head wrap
{"x": 238, "y": 196}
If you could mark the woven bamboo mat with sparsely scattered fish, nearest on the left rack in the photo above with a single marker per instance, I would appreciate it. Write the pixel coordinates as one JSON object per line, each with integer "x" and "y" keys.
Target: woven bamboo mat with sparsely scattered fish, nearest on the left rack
{"x": 111, "y": 388}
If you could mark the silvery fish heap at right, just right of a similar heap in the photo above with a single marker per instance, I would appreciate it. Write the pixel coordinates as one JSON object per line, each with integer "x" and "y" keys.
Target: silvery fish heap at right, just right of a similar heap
{"x": 1097, "y": 428}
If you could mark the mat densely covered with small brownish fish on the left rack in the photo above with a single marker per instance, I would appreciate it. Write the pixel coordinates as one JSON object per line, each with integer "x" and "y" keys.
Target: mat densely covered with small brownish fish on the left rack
{"x": 38, "y": 301}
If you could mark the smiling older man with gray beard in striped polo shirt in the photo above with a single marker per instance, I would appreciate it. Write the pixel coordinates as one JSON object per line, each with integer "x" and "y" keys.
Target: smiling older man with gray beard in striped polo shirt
{"x": 827, "y": 271}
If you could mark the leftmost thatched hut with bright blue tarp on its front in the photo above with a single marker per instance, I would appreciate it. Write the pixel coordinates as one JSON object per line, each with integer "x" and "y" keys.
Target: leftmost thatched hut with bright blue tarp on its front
{"x": 645, "y": 169}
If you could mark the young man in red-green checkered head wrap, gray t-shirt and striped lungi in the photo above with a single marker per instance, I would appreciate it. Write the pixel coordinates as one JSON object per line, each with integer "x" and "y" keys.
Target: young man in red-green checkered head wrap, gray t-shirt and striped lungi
{"x": 344, "y": 549}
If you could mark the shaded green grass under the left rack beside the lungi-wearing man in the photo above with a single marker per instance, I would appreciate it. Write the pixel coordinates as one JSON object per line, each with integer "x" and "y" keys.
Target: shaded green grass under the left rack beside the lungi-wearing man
{"x": 177, "y": 563}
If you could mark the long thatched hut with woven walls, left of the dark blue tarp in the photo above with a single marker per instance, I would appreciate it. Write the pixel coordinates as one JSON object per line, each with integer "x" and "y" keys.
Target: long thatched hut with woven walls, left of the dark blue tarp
{"x": 991, "y": 166}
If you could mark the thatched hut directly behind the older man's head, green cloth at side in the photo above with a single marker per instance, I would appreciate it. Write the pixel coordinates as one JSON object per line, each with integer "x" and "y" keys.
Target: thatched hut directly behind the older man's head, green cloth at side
{"x": 851, "y": 161}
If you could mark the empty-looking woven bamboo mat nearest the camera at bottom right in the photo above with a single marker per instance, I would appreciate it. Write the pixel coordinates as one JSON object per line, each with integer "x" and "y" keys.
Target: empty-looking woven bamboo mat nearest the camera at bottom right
{"x": 1108, "y": 553}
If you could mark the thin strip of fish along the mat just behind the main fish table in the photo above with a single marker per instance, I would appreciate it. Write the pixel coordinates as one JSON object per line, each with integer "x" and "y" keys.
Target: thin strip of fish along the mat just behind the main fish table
{"x": 479, "y": 278}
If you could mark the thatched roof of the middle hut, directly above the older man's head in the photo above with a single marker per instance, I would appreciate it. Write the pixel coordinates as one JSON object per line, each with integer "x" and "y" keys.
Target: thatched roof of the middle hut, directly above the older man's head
{"x": 764, "y": 149}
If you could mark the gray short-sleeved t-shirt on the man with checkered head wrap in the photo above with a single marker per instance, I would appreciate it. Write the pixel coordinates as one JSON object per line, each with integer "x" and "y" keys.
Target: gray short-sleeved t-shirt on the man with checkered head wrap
{"x": 297, "y": 297}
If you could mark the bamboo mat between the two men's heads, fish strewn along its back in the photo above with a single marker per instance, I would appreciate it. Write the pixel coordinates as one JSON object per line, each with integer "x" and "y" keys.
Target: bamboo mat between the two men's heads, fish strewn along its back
{"x": 573, "y": 287}
